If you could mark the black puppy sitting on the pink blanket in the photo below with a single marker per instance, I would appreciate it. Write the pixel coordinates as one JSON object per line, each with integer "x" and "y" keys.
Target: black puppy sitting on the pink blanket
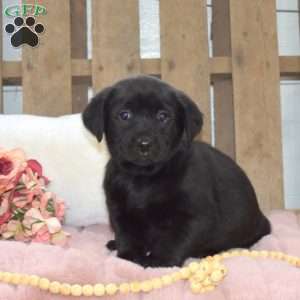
{"x": 169, "y": 198}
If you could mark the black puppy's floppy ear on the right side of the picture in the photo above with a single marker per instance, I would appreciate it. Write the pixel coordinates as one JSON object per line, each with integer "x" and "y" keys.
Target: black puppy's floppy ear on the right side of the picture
{"x": 193, "y": 118}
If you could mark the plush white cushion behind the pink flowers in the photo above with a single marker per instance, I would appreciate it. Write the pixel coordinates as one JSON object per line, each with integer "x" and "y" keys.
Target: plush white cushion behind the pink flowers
{"x": 71, "y": 157}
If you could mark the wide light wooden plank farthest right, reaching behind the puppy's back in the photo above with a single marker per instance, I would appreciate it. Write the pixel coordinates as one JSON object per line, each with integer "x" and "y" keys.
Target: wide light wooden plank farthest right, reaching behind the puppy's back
{"x": 256, "y": 97}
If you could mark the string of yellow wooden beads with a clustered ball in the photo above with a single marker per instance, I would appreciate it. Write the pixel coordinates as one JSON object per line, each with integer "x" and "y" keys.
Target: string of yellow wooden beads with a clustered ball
{"x": 203, "y": 275}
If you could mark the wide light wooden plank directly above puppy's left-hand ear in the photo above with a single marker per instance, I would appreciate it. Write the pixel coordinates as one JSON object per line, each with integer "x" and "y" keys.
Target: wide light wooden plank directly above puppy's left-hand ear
{"x": 116, "y": 52}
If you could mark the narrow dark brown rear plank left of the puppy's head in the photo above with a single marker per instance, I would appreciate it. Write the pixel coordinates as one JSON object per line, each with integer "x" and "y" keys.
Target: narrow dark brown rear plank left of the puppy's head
{"x": 79, "y": 50}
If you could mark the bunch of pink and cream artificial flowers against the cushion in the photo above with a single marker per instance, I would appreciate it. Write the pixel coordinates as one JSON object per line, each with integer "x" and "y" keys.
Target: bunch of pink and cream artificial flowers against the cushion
{"x": 28, "y": 212}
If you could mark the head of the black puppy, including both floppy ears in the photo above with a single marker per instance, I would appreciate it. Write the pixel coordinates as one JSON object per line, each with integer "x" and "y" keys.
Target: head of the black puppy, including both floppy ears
{"x": 144, "y": 119}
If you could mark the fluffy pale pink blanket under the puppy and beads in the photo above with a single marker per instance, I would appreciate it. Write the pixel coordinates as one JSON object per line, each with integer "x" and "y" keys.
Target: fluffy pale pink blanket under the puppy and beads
{"x": 87, "y": 261}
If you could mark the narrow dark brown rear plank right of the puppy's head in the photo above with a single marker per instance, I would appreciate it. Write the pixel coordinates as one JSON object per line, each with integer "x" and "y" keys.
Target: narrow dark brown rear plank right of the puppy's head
{"x": 223, "y": 93}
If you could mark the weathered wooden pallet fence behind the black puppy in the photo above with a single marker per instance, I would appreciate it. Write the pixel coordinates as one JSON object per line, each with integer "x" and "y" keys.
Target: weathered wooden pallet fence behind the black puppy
{"x": 245, "y": 70}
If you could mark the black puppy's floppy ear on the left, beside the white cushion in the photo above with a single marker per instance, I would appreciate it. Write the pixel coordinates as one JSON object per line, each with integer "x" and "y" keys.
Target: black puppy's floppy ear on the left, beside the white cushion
{"x": 93, "y": 115}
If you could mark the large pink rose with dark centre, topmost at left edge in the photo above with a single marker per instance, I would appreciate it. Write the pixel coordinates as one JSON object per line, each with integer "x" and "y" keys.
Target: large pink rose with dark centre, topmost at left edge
{"x": 12, "y": 163}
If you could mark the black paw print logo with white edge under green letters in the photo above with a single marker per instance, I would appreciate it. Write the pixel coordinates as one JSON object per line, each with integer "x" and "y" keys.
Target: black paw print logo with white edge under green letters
{"x": 24, "y": 31}
